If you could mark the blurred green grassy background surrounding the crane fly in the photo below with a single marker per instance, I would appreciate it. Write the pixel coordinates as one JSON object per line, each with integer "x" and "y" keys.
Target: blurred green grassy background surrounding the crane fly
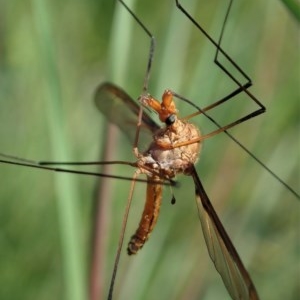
{"x": 53, "y": 54}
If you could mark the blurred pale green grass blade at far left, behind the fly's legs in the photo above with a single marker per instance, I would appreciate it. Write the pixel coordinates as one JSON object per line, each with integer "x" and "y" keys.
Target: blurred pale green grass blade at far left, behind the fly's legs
{"x": 65, "y": 185}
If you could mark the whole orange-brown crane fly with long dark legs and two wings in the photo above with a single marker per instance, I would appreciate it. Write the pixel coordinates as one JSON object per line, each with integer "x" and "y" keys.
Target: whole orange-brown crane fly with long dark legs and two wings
{"x": 164, "y": 158}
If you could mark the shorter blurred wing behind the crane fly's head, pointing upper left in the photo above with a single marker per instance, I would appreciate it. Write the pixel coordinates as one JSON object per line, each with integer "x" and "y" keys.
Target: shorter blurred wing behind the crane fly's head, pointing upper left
{"x": 122, "y": 111}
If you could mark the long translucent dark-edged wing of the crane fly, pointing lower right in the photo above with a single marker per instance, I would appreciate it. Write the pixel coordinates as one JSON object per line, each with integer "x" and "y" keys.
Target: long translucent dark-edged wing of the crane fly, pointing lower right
{"x": 221, "y": 249}
